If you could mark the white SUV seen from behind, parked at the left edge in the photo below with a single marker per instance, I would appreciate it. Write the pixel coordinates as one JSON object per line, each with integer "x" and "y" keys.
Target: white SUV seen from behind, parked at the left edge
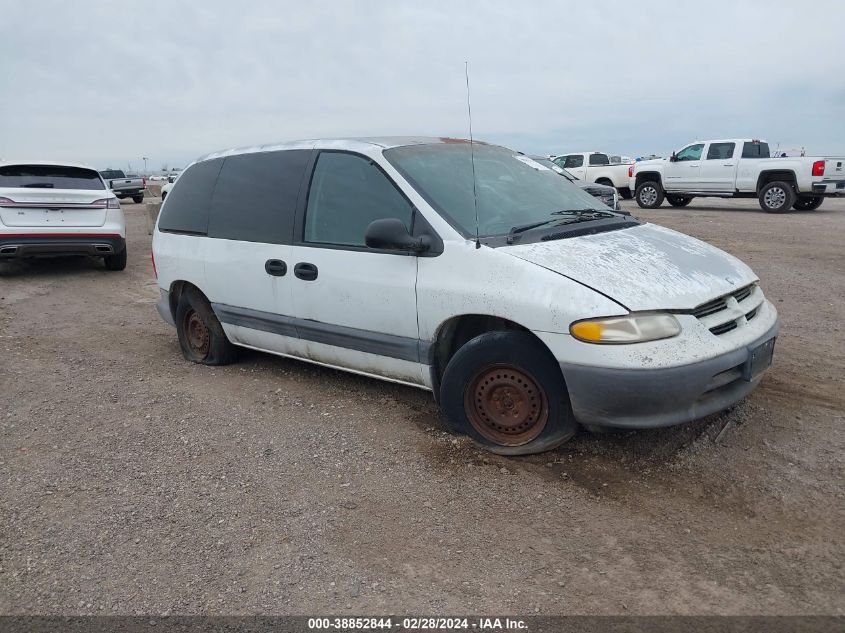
{"x": 52, "y": 209}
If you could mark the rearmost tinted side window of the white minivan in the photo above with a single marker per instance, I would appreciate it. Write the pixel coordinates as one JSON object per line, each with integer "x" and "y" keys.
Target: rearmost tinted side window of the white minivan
{"x": 186, "y": 208}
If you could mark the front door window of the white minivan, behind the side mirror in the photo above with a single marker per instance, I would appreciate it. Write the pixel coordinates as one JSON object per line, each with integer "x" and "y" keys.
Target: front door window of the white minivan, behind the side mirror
{"x": 347, "y": 193}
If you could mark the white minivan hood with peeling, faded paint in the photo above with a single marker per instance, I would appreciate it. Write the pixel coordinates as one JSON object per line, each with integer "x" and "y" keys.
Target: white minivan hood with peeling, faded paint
{"x": 645, "y": 267}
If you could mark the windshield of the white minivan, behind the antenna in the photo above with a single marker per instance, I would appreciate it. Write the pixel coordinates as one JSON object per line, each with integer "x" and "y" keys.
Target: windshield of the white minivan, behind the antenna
{"x": 512, "y": 190}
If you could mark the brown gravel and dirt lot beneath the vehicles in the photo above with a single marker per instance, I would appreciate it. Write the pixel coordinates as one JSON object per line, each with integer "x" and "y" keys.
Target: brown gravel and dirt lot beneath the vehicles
{"x": 135, "y": 482}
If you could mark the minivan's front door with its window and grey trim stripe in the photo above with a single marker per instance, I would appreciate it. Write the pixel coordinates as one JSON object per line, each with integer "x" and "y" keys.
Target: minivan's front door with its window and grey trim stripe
{"x": 355, "y": 307}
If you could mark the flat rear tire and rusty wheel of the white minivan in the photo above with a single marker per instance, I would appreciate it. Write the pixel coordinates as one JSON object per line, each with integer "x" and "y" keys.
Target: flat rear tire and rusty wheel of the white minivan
{"x": 201, "y": 336}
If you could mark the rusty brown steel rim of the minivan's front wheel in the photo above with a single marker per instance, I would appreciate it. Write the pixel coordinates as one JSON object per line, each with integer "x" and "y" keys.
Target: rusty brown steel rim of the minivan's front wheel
{"x": 506, "y": 405}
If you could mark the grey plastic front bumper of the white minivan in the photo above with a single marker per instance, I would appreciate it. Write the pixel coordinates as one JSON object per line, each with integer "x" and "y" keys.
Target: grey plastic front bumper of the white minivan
{"x": 645, "y": 398}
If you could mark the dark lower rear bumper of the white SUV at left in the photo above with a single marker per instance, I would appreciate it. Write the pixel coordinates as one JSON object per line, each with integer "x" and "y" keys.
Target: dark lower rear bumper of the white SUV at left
{"x": 57, "y": 245}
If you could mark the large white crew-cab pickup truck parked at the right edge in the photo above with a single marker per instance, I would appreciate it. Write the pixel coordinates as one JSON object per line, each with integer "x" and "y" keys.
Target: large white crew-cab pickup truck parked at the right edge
{"x": 737, "y": 168}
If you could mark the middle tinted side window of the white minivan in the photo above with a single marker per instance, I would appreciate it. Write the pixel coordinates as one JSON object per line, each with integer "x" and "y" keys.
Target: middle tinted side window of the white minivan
{"x": 255, "y": 197}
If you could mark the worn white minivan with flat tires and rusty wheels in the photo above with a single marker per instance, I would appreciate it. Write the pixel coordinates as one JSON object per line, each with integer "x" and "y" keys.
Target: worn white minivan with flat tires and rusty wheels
{"x": 471, "y": 270}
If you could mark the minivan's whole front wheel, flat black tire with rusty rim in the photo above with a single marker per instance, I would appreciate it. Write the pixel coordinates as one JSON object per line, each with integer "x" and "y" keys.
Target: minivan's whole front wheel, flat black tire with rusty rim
{"x": 506, "y": 392}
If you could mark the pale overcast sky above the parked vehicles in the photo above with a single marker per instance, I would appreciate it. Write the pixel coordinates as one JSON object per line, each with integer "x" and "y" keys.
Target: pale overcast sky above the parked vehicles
{"x": 106, "y": 83}
